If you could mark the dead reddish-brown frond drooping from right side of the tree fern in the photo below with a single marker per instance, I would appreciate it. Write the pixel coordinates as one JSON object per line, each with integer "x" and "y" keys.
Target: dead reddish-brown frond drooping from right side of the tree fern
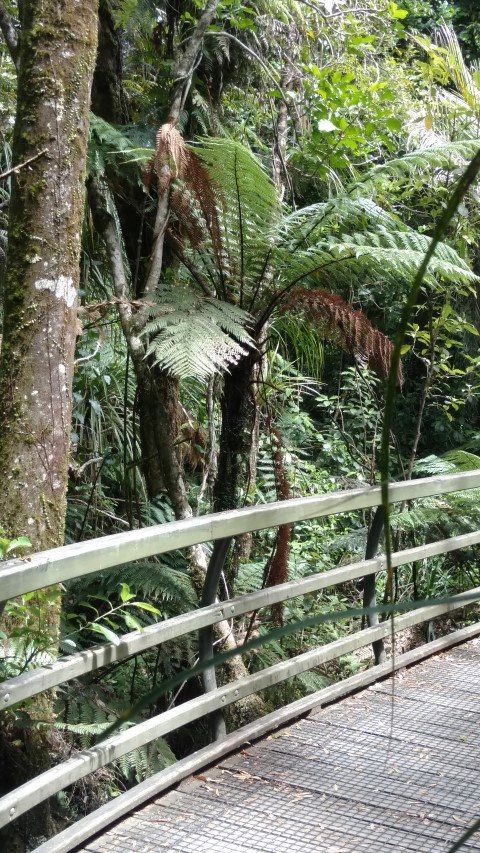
{"x": 346, "y": 327}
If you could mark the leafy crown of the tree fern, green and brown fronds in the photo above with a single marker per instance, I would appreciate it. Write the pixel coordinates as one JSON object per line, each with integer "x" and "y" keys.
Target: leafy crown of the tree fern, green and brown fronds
{"x": 241, "y": 253}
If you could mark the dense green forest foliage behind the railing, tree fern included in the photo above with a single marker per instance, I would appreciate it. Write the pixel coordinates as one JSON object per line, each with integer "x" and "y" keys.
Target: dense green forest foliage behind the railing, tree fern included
{"x": 263, "y": 182}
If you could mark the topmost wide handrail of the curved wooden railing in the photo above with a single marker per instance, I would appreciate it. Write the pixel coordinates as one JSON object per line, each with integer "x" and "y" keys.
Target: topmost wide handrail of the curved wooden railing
{"x": 57, "y": 565}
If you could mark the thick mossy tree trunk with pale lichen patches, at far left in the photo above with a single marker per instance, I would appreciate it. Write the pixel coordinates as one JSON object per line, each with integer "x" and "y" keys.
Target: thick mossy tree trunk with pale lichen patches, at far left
{"x": 54, "y": 57}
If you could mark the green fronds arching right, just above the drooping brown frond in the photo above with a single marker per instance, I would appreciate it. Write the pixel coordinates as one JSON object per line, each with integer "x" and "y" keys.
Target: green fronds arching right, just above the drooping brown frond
{"x": 353, "y": 239}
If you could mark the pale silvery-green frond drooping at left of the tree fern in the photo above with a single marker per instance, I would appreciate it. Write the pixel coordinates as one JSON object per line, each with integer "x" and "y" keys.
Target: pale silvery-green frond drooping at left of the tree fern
{"x": 196, "y": 336}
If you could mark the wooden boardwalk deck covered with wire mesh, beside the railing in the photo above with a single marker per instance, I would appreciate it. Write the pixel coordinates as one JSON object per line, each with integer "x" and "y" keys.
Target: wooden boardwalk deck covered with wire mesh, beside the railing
{"x": 371, "y": 773}
